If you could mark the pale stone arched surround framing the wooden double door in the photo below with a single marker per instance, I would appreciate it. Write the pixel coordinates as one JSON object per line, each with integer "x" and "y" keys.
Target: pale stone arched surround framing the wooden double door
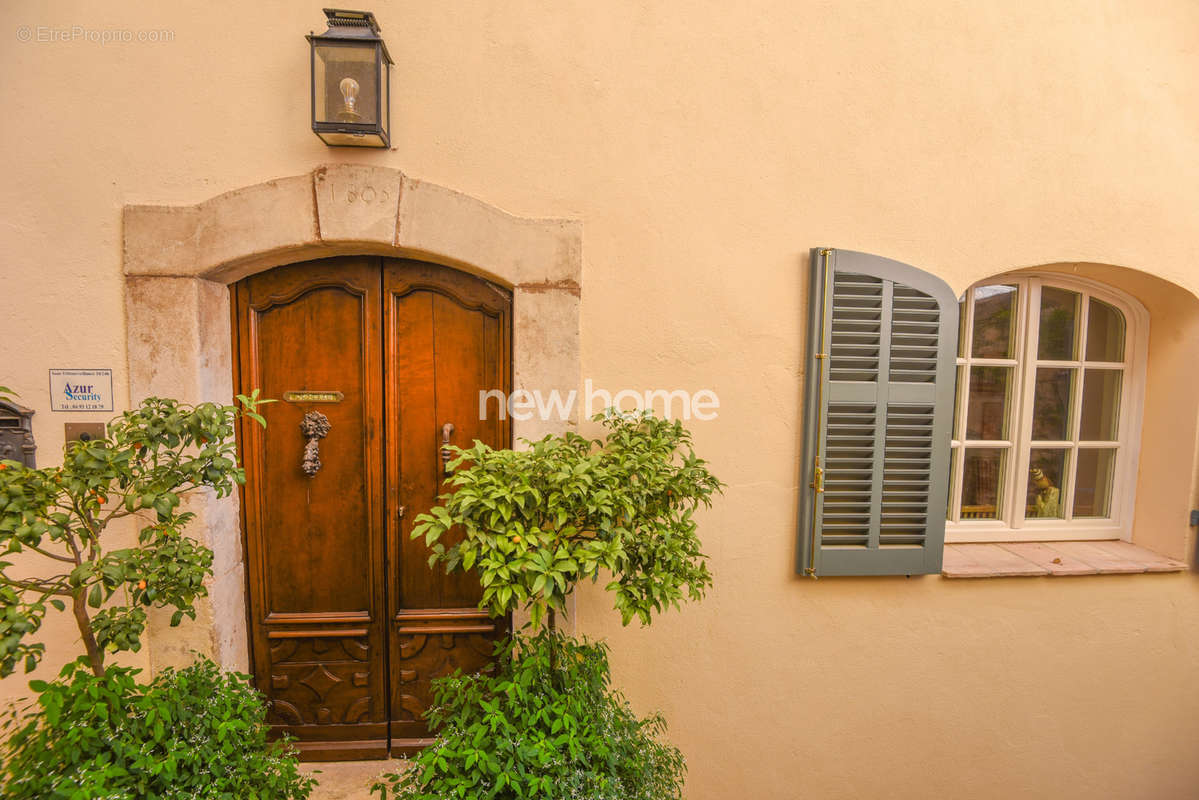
{"x": 179, "y": 262}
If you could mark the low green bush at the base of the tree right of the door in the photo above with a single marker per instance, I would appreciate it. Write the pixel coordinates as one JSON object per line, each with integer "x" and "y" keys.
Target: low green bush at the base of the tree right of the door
{"x": 546, "y": 725}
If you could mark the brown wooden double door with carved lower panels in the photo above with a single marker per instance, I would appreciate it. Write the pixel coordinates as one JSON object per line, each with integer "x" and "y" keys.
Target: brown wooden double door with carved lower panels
{"x": 371, "y": 360}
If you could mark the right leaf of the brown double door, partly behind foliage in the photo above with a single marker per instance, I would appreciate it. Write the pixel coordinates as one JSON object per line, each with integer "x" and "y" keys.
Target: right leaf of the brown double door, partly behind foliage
{"x": 447, "y": 340}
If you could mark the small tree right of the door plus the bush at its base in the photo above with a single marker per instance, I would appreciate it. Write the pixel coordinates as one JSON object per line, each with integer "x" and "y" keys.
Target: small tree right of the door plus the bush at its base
{"x": 534, "y": 524}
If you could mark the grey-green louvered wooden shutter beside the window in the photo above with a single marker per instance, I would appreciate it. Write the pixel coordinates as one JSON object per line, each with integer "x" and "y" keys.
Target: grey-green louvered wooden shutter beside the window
{"x": 878, "y": 417}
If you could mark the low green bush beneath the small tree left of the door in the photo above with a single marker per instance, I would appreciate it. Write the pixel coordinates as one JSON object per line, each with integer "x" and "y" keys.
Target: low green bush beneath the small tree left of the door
{"x": 195, "y": 733}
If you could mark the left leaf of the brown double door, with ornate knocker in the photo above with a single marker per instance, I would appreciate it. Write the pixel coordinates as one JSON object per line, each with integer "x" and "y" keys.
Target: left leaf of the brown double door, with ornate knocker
{"x": 315, "y": 543}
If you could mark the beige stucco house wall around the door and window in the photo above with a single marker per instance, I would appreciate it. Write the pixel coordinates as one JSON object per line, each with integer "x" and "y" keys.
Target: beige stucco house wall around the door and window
{"x": 706, "y": 148}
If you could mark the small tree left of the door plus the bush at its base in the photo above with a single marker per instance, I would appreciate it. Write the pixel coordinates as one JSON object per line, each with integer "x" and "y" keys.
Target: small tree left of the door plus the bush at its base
{"x": 196, "y": 733}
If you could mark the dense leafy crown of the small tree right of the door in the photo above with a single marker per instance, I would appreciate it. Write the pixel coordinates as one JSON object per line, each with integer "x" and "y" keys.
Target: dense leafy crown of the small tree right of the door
{"x": 535, "y": 522}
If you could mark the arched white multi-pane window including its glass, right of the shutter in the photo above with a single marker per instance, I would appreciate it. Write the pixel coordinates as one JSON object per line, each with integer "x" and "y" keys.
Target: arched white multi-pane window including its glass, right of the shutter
{"x": 1051, "y": 383}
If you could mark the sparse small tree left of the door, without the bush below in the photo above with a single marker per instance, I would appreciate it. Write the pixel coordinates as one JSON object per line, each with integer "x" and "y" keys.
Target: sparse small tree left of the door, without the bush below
{"x": 152, "y": 458}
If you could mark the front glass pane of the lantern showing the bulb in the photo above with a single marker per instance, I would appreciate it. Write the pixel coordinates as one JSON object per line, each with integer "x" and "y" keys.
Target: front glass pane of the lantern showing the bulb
{"x": 346, "y": 83}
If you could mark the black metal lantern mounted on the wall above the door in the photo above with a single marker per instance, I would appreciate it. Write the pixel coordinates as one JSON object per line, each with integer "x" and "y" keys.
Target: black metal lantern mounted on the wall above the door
{"x": 351, "y": 82}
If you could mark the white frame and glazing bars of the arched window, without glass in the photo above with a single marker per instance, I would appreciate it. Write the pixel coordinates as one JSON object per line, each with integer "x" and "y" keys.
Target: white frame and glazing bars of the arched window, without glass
{"x": 1014, "y": 527}
